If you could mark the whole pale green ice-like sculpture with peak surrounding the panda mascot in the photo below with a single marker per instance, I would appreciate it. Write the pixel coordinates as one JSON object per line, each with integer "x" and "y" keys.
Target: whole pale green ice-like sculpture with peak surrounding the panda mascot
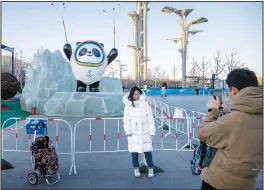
{"x": 51, "y": 86}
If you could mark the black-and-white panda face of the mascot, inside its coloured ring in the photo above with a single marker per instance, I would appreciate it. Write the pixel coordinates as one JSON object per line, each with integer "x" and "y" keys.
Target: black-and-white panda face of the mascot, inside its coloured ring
{"x": 89, "y": 54}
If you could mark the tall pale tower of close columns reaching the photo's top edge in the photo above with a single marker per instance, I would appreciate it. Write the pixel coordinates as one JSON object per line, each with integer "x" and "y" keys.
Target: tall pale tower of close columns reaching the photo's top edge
{"x": 139, "y": 18}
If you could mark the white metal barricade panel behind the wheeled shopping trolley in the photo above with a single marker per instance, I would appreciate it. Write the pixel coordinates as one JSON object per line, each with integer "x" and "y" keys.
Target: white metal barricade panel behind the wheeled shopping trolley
{"x": 16, "y": 139}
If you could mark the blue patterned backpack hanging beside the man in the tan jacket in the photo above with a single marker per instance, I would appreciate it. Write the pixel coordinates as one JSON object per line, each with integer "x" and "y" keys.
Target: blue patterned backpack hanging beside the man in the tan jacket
{"x": 198, "y": 157}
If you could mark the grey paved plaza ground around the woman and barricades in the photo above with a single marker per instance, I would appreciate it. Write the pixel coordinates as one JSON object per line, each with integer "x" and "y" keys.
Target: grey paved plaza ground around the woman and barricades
{"x": 97, "y": 170}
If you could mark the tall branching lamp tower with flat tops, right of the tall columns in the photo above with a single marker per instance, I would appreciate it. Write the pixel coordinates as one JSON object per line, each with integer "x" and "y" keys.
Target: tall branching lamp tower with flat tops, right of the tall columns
{"x": 185, "y": 32}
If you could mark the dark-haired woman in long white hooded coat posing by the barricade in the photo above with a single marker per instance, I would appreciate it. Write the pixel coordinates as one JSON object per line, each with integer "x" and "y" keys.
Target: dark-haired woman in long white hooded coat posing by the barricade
{"x": 140, "y": 128}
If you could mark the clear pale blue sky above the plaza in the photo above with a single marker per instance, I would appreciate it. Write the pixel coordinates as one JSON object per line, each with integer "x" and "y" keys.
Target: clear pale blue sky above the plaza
{"x": 231, "y": 27}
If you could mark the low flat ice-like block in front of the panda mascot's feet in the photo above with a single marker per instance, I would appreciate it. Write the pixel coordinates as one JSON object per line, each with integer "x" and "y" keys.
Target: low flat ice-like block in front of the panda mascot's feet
{"x": 77, "y": 104}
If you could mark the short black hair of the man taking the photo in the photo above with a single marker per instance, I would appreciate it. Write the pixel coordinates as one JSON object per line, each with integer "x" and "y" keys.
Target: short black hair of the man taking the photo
{"x": 242, "y": 78}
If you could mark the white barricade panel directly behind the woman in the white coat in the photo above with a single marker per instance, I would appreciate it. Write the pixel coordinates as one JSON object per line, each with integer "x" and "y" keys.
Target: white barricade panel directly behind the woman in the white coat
{"x": 98, "y": 135}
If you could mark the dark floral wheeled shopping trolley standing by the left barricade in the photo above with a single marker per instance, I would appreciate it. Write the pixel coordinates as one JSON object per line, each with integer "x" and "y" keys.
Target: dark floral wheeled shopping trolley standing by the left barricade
{"x": 44, "y": 158}
